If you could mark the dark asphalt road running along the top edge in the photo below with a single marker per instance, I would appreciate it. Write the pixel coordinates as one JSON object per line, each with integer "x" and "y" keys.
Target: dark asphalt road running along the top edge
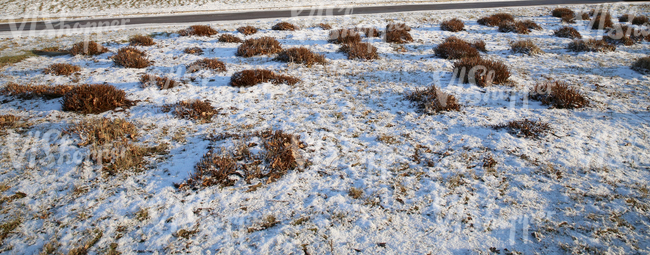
{"x": 199, "y": 18}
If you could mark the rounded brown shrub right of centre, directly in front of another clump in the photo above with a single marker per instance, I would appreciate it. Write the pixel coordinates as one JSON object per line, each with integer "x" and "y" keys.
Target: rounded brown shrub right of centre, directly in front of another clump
{"x": 485, "y": 72}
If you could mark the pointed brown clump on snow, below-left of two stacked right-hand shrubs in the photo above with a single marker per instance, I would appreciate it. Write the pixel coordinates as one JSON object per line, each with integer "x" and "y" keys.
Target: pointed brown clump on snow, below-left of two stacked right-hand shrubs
{"x": 432, "y": 100}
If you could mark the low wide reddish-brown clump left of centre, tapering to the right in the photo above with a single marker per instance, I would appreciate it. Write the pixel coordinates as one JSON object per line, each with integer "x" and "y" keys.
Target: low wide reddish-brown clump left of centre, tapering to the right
{"x": 249, "y": 78}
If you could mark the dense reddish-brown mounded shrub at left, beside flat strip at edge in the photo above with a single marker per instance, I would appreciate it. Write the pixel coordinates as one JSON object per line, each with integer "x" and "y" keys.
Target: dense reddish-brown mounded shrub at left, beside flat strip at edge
{"x": 95, "y": 98}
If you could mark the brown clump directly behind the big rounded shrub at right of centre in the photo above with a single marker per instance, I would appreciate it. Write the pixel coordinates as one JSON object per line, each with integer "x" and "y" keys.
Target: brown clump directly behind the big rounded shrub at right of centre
{"x": 456, "y": 48}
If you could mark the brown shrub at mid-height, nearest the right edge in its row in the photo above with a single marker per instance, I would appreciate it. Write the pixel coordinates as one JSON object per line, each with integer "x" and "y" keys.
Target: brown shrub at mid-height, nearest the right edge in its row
{"x": 558, "y": 95}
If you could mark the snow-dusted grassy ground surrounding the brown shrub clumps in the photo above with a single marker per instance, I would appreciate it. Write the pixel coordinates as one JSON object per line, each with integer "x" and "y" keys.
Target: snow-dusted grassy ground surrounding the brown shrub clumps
{"x": 581, "y": 188}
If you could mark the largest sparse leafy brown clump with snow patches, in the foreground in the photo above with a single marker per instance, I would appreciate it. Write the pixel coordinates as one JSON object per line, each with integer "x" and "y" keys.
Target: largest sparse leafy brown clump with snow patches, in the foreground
{"x": 262, "y": 157}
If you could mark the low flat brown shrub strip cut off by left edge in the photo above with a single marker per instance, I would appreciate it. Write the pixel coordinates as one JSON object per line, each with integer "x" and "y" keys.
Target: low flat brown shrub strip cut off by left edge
{"x": 35, "y": 91}
